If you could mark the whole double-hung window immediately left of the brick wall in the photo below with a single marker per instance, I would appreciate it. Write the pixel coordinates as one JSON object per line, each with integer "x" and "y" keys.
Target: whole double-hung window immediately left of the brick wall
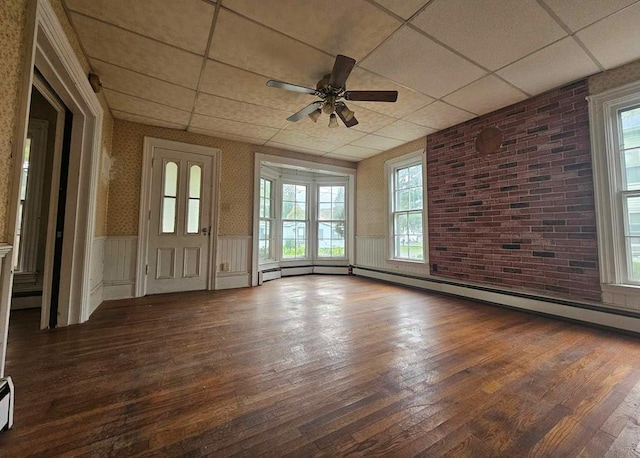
{"x": 407, "y": 217}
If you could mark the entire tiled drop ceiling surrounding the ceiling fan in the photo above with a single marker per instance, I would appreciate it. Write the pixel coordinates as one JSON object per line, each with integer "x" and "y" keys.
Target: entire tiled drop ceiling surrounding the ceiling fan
{"x": 202, "y": 66}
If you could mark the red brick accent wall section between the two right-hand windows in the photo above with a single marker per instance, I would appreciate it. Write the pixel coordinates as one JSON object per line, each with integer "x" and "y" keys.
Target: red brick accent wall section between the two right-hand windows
{"x": 524, "y": 217}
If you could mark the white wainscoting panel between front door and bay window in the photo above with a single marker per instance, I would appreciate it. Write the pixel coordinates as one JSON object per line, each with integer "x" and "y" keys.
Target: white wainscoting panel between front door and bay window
{"x": 233, "y": 262}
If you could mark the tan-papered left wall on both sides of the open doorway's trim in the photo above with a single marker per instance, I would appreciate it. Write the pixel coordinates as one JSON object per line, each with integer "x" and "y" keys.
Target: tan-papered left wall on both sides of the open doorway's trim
{"x": 12, "y": 19}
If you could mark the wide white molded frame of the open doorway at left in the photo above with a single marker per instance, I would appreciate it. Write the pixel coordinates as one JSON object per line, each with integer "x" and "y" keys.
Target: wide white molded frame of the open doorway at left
{"x": 47, "y": 47}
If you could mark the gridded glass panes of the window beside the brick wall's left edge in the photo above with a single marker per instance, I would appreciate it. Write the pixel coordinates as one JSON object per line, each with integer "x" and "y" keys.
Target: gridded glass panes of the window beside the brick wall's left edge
{"x": 407, "y": 236}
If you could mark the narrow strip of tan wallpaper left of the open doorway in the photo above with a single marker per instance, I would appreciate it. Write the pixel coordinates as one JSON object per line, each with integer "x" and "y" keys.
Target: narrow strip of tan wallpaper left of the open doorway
{"x": 12, "y": 14}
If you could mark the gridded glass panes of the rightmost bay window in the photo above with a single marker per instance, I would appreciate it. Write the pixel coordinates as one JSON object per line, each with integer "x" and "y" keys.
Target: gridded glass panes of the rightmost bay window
{"x": 331, "y": 221}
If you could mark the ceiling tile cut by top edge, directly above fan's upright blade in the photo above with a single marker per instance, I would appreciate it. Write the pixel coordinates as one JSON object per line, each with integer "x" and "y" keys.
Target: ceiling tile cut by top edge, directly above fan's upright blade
{"x": 352, "y": 28}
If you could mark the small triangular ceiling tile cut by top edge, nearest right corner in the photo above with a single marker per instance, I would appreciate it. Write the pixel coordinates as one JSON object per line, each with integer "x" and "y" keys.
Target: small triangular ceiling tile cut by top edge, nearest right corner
{"x": 577, "y": 14}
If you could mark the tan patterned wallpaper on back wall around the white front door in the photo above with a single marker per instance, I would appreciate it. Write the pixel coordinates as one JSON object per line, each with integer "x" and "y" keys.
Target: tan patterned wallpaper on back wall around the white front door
{"x": 236, "y": 185}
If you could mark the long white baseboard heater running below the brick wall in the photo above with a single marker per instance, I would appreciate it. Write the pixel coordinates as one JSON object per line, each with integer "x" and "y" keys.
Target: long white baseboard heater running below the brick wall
{"x": 586, "y": 313}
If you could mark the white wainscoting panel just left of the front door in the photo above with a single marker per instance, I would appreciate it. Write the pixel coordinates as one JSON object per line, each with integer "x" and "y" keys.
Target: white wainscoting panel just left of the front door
{"x": 119, "y": 275}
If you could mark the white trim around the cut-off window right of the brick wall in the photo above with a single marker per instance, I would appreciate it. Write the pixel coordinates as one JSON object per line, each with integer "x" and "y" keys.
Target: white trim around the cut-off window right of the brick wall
{"x": 606, "y": 178}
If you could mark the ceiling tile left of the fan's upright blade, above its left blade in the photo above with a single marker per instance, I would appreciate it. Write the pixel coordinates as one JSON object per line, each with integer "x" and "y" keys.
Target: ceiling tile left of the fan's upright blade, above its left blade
{"x": 245, "y": 44}
